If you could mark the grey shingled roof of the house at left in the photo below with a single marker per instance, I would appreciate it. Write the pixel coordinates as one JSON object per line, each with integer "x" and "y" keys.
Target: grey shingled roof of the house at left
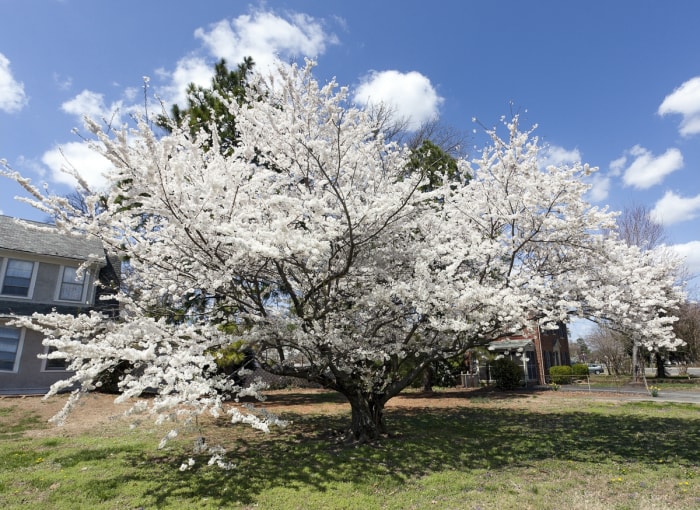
{"x": 45, "y": 239}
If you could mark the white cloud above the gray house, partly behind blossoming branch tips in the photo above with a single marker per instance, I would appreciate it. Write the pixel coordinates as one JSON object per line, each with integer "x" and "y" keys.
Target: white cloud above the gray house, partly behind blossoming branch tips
{"x": 90, "y": 165}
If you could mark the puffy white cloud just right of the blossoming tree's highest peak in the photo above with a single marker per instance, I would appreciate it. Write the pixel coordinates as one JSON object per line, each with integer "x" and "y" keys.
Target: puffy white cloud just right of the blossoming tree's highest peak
{"x": 410, "y": 95}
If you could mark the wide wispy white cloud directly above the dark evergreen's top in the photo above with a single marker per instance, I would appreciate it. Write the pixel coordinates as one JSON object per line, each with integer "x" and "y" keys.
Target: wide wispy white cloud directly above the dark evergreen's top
{"x": 266, "y": 36}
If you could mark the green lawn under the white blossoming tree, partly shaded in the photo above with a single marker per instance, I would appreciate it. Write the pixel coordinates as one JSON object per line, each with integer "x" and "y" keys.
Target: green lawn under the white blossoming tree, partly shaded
{"x": 538, "y": 451}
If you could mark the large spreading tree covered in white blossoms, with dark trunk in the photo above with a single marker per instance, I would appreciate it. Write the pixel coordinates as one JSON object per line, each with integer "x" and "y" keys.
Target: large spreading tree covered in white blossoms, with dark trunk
{"x": 312, "y": 244}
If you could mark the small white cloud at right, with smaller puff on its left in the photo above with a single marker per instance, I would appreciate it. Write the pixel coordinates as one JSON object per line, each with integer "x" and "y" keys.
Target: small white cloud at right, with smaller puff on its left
{"x": 647, "y": 170}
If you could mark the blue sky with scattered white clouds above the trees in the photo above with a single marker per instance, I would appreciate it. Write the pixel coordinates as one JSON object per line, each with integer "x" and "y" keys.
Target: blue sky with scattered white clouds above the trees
{"x": 615, "y": 84}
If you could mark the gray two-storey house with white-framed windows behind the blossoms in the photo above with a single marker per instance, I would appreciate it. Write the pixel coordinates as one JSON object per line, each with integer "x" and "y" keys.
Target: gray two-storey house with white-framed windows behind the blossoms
{"x": 38, "y": 273}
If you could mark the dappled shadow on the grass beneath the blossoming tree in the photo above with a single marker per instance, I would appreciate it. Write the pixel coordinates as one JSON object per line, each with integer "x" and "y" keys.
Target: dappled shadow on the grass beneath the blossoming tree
{"x": 306, "y": 456}
